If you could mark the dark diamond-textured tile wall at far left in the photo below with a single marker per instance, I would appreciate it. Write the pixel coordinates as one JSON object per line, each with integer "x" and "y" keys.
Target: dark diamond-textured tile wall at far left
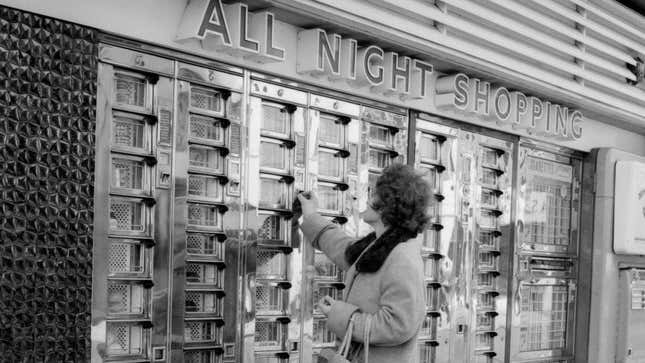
{"x": 47, "y": 115}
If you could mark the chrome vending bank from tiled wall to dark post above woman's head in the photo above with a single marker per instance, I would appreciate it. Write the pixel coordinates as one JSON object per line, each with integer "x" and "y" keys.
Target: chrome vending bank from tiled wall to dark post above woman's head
{"x": 198, "y": 256}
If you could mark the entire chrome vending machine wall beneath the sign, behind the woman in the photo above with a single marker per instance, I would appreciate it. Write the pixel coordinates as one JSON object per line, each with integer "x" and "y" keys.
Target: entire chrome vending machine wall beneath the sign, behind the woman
{"x": 199, "y": 257}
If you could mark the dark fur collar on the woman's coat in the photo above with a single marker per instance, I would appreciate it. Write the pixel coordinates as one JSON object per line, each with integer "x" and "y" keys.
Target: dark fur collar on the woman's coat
{"x": 375, "y": 256}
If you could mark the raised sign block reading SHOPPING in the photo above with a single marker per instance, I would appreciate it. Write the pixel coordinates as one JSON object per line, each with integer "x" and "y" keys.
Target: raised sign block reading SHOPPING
{"x": 543, "y": 118}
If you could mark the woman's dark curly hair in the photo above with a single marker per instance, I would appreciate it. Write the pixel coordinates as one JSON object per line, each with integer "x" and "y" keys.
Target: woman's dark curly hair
{"x": 402, "y": 198}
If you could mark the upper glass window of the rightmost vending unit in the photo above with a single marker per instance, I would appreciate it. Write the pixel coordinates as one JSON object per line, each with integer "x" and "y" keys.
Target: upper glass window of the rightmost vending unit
{"x": 547, "y": 211}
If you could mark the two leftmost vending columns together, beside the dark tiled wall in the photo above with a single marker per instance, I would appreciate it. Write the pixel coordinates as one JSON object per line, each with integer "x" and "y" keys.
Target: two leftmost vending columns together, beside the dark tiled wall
{"x": 167, "y": 210}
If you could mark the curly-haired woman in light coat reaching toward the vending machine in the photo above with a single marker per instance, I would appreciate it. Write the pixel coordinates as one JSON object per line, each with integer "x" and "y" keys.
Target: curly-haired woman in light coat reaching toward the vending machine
{"x": 383, "y": 270}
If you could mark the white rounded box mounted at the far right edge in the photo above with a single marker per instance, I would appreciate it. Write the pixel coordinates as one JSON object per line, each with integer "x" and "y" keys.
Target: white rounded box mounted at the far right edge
{"x": 629, "y": 208}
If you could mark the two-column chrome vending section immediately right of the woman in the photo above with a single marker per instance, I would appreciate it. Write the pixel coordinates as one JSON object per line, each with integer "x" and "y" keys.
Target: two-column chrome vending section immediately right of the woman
{"x": 466, "y": 247}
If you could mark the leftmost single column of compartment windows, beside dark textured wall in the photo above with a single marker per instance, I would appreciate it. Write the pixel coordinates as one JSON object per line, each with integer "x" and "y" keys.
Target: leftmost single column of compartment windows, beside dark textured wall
{"x": 131, "y": 303}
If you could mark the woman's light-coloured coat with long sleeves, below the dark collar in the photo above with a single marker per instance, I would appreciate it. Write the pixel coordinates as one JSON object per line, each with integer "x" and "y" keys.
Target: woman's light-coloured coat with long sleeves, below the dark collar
{"x": 394, "y": 295}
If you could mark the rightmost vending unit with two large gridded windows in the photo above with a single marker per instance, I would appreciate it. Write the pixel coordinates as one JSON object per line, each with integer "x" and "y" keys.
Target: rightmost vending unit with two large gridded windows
{"x": 546, "y": 254}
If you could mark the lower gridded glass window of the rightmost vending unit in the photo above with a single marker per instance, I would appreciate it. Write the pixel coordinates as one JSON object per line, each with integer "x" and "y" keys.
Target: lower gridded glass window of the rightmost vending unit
{"x": 543, "y": 317}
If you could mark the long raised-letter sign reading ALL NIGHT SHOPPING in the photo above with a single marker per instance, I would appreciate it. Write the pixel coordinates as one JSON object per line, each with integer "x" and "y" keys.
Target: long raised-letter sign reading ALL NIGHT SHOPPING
{"x": 232, "y": 29}
